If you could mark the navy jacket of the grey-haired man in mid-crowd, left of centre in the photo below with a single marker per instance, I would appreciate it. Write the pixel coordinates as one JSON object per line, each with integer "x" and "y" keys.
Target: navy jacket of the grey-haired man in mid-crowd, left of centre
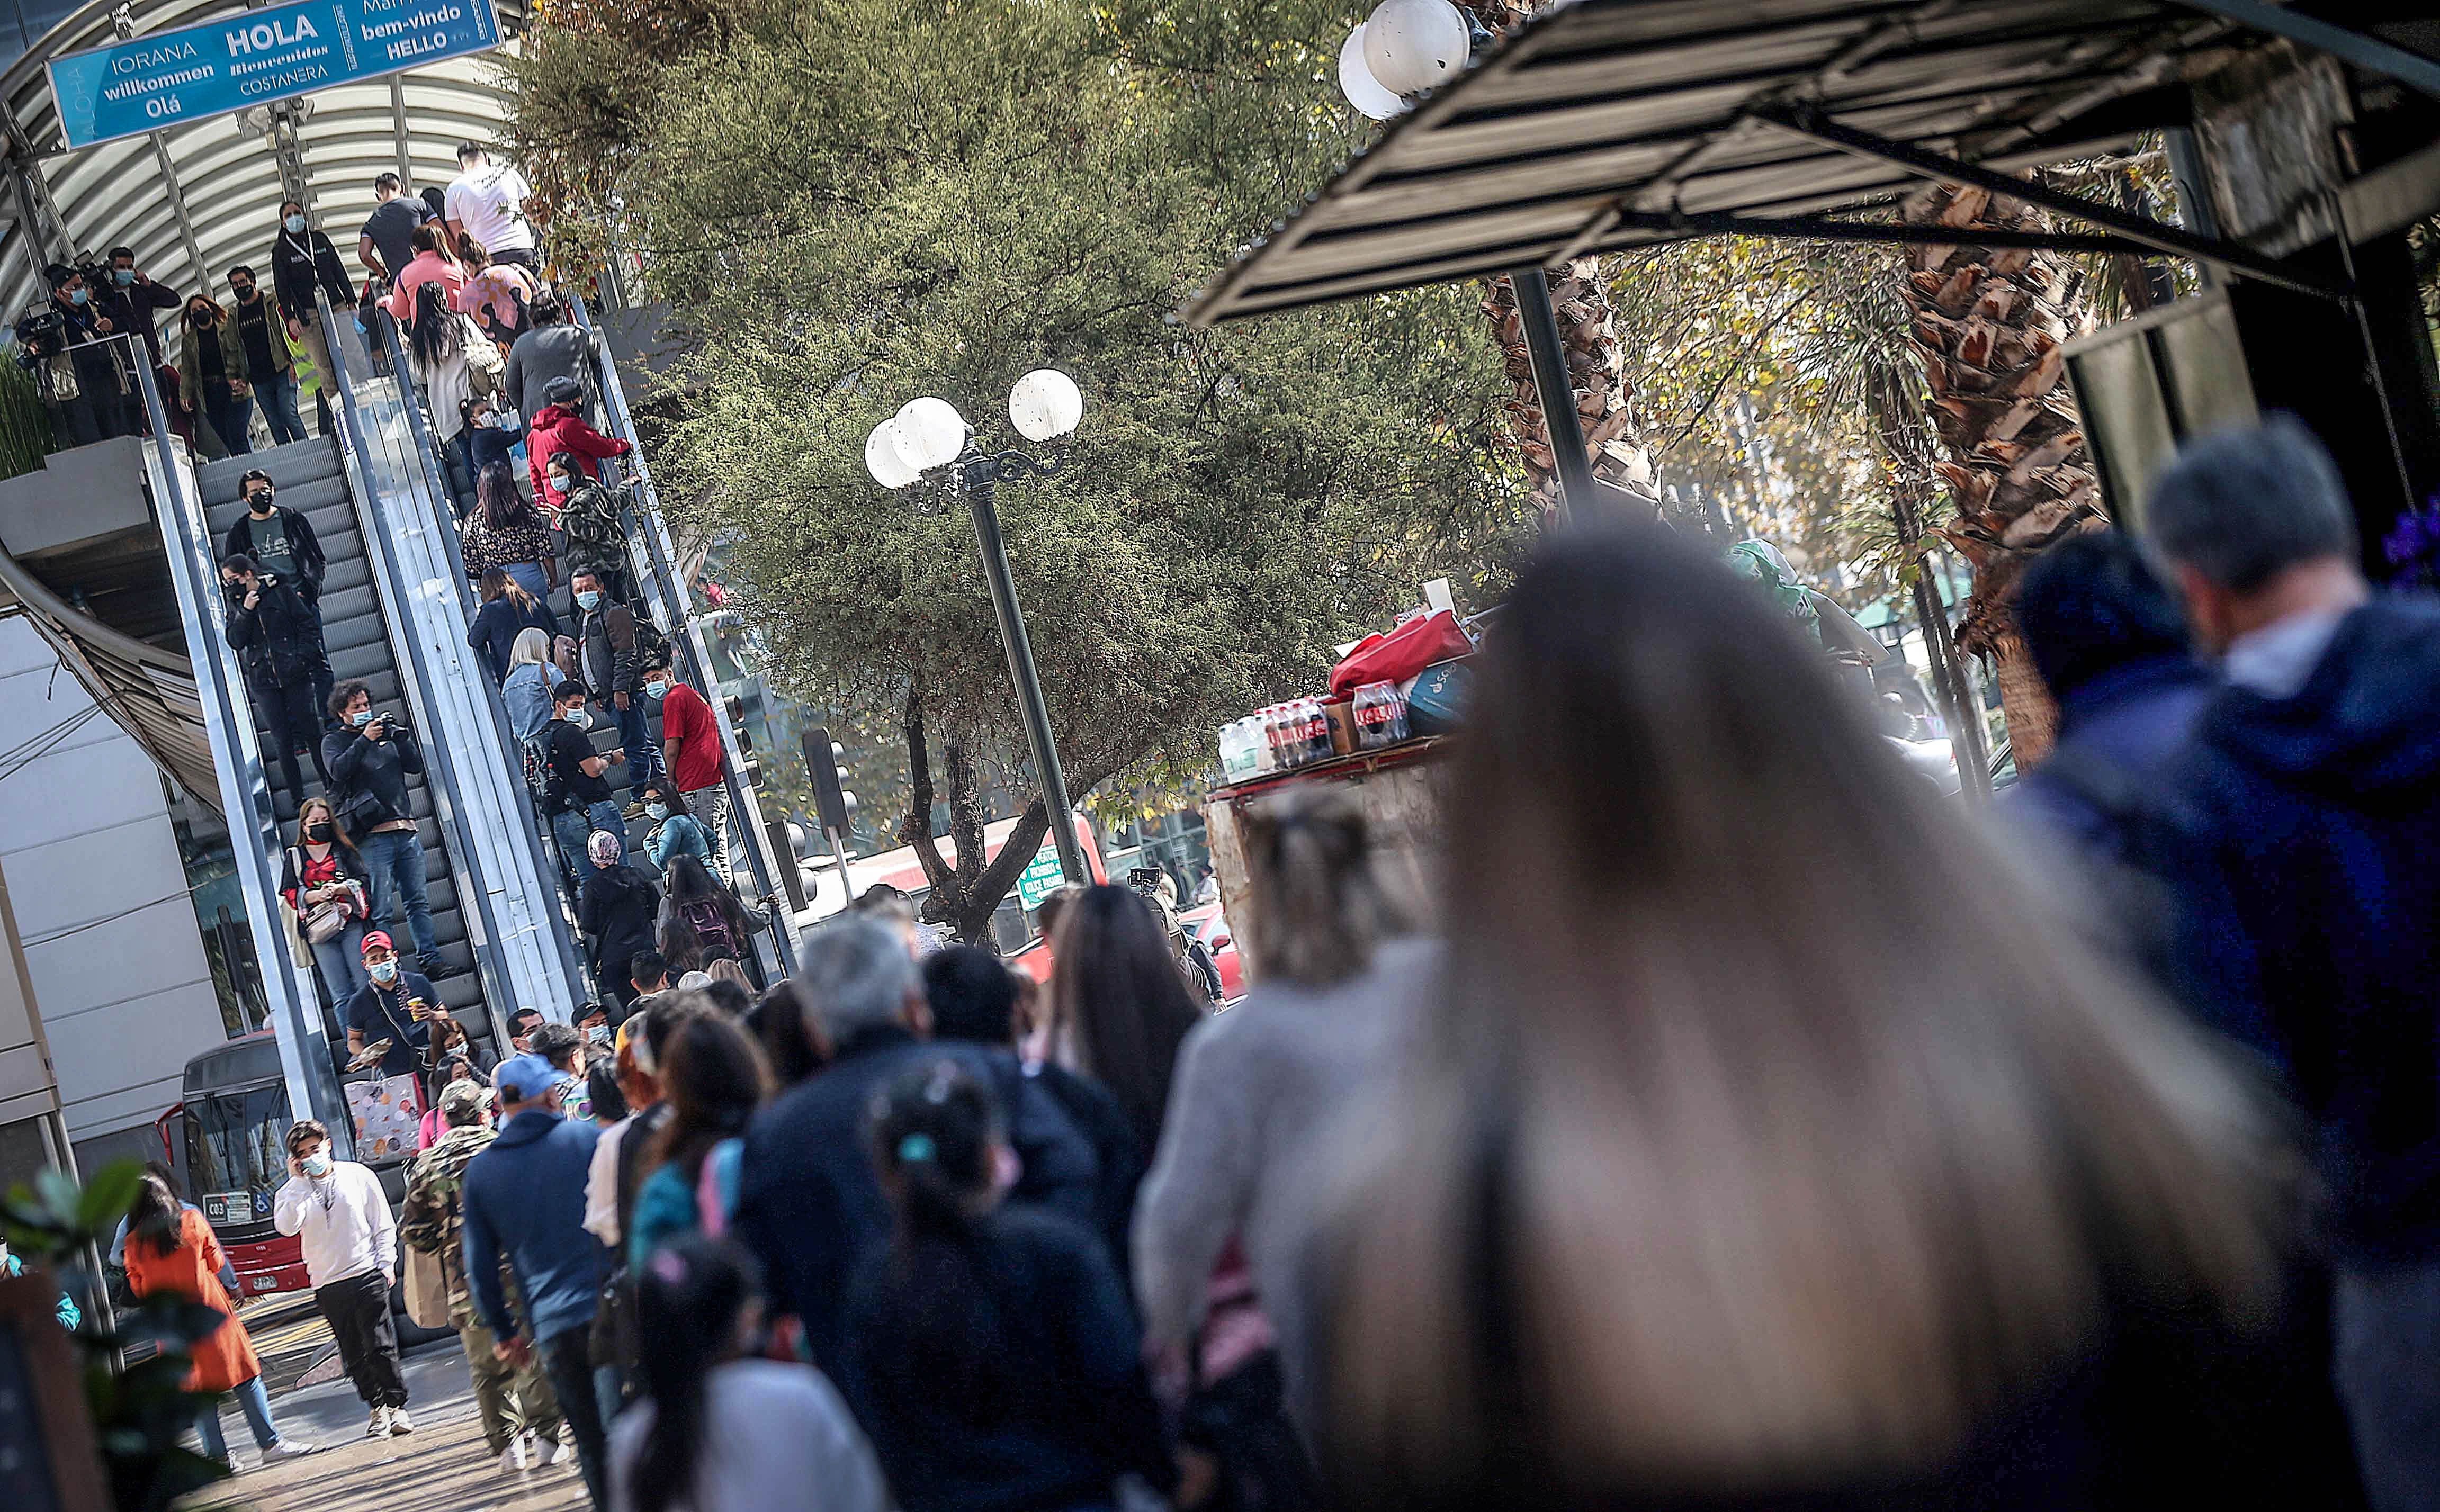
{"x": 809, "y": 1204}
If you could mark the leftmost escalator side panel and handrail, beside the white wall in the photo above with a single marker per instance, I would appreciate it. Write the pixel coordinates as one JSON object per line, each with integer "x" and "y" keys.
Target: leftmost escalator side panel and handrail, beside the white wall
{"x": 245, "y": 784}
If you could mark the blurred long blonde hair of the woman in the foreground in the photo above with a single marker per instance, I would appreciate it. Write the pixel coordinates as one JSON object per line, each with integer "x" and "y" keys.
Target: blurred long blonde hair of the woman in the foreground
{"x": 1773, "y": 1125}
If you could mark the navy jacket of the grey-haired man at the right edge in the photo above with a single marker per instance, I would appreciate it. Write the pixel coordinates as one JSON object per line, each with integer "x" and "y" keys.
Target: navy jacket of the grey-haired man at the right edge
{"x": 2307, "y": 840}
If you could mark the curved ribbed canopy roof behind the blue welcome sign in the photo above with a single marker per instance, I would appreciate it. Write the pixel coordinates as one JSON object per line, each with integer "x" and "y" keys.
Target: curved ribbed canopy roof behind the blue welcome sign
{"x": 213, "y": 179}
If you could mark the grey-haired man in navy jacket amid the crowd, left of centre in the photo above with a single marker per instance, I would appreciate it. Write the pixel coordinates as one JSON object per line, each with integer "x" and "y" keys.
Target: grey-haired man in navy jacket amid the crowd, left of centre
{"x": 809, "y": 1204}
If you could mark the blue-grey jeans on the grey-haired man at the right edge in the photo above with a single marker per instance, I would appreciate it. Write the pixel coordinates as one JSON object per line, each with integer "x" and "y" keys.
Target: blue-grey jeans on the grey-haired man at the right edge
{"x": 2385, "y": 1323}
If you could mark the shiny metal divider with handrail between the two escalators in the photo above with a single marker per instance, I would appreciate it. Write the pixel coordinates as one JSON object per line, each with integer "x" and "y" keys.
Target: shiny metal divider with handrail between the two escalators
{"x": 416, "y": 679}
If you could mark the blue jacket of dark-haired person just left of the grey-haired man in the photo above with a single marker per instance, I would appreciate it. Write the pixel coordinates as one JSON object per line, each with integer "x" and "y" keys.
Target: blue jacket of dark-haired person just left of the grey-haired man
{"x": 2119, "y": 735}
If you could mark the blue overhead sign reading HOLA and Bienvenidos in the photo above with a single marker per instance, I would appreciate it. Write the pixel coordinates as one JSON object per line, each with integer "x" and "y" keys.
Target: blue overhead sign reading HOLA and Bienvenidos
{"x": 255, "y": 57}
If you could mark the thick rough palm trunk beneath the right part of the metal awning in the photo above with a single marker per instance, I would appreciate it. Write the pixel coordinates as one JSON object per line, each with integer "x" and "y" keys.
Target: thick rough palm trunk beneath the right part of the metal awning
{"x": 1990, "y": 326}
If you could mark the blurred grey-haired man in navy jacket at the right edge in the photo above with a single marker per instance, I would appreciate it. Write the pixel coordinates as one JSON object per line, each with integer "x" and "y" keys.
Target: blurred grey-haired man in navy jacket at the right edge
{"x": 2307, "y": 830}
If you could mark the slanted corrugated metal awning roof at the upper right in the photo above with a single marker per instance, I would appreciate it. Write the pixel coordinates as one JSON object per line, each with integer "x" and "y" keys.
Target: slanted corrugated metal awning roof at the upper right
{"x": 1609, "y": 126}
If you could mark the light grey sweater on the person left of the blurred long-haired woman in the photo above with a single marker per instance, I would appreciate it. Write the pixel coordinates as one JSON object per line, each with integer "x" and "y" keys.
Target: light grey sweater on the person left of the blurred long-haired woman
{"x": 1243, "y": 1133}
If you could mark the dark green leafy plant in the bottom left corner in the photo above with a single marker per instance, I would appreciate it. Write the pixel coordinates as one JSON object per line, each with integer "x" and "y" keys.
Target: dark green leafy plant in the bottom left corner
{"x": 138, "y": 1408}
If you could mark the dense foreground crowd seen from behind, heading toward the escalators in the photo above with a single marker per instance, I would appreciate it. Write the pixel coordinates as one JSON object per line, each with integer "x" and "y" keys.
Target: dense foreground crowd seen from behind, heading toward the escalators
{"x": 1753, "y": 1128}
